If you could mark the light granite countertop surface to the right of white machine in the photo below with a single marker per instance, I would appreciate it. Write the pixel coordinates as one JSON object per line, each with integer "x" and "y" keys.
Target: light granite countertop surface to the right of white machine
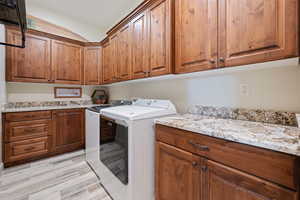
{"x": 279, "y": 138}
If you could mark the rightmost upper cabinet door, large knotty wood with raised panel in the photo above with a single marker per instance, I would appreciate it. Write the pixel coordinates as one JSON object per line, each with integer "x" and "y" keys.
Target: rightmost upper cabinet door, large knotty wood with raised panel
{"x": 253, "y": 31}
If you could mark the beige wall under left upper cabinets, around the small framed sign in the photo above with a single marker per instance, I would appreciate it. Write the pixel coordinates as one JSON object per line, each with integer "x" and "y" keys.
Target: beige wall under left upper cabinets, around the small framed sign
{"x": 20, "y": 92}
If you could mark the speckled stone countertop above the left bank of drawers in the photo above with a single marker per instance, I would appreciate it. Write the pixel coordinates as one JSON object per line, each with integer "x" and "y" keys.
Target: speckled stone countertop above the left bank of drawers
{"x": 37, "y": 106}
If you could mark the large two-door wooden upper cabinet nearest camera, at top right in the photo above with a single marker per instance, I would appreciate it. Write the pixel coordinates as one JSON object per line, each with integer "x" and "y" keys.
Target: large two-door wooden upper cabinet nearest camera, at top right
{"x": 224, "y": 33}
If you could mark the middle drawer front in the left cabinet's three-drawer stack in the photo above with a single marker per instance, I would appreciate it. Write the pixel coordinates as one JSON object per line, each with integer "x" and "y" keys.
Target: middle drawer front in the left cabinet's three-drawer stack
{"x": 17, "y": 131}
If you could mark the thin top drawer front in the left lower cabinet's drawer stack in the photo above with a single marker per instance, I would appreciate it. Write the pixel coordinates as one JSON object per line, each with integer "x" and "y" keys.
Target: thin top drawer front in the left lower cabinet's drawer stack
{"x": 27, "y": 116}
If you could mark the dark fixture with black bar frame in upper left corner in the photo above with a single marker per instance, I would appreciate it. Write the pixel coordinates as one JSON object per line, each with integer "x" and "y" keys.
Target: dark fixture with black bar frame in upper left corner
{"x": 13, "y": 12}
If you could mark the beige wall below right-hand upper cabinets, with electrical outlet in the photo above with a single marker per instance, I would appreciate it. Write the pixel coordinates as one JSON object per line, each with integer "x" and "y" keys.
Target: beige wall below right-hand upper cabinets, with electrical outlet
{"x": 273, "y": 85}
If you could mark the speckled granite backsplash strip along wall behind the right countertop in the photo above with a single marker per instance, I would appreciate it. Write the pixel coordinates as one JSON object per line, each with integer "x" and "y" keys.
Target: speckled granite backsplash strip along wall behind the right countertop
{"x": 254, "y": 115}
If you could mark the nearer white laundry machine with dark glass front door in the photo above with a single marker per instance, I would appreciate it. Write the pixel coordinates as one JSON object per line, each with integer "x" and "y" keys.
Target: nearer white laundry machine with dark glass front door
{"x": 125, "y": 163}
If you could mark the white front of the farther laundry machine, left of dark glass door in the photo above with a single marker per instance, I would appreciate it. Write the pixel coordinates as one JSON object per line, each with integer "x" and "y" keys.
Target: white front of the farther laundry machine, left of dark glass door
{"x": 92, "y": 139}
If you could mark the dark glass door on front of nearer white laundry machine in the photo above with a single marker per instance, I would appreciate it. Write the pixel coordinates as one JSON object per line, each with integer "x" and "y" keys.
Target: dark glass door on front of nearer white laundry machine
{"x": 114, "y": 147}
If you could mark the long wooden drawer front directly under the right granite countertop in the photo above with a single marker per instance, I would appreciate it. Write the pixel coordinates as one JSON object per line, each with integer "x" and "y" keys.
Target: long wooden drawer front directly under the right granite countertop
{"x": 276, "y": 167}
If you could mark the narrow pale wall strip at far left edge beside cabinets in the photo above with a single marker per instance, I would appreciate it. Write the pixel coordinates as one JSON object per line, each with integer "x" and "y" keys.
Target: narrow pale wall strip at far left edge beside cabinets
{"x": 2, "y": 84}
